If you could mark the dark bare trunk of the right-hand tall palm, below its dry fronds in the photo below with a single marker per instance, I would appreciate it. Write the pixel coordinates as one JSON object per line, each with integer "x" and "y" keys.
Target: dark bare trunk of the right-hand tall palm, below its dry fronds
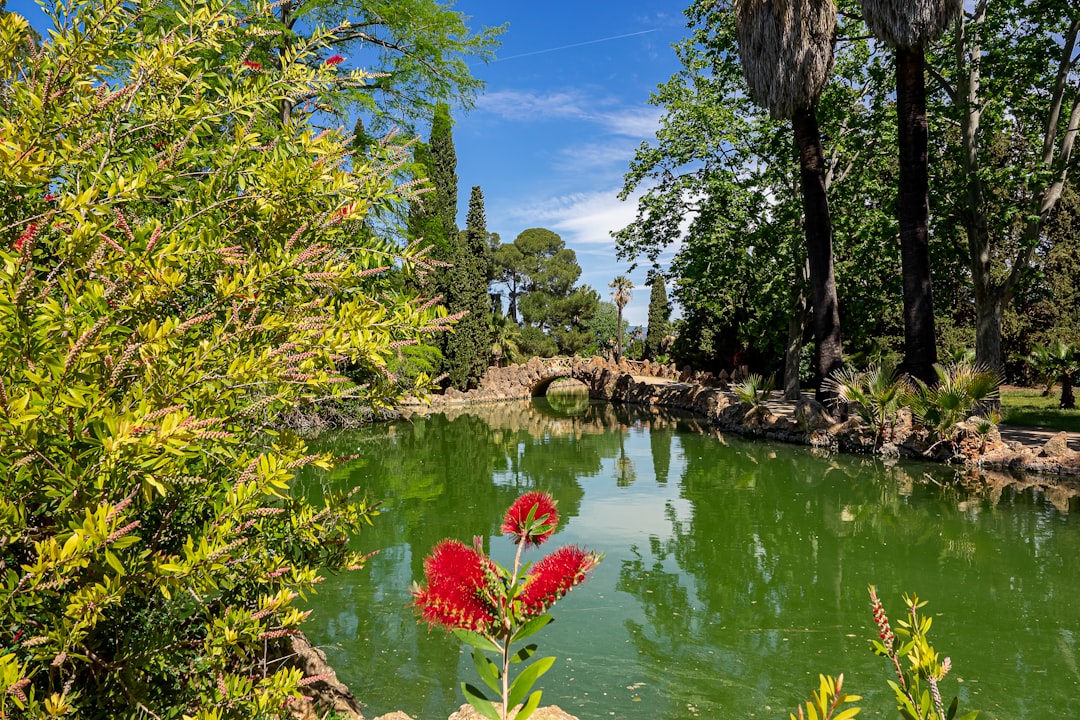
{"x": 913, "y": 211}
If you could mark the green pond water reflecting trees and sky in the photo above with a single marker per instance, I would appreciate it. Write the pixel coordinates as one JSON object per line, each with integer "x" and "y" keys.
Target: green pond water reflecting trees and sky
{"x": 736, "y": 572}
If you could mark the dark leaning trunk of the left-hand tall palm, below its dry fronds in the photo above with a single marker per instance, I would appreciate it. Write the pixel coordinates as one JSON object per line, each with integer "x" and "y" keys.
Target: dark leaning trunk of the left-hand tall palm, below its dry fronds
{"x": 819, "y": 236}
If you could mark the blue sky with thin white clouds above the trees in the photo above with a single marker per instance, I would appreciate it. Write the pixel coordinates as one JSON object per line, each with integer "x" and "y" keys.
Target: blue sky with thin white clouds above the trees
{"x": 565, "y": 107}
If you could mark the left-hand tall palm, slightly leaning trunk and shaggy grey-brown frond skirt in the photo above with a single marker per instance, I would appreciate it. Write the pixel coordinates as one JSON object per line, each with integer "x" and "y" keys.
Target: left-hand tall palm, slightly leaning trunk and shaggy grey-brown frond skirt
{"x": 787, "y": 52}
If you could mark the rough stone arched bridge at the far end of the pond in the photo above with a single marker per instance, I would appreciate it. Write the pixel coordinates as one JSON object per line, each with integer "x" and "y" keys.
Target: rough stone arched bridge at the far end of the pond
{"x": 533, "y": 378}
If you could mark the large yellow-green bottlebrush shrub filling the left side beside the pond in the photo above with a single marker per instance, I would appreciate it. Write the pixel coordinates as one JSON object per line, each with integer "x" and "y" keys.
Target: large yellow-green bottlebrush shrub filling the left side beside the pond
{"x": 178, "y": 268}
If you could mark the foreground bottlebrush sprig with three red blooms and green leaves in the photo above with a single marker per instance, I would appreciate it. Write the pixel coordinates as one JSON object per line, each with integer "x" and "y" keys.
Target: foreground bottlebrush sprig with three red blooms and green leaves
{"x": 491, "y": 608}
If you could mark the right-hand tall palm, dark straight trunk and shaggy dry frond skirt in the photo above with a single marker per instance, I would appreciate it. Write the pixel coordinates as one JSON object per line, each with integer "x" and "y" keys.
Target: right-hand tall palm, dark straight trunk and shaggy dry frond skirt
{"x": 909, "y": 26}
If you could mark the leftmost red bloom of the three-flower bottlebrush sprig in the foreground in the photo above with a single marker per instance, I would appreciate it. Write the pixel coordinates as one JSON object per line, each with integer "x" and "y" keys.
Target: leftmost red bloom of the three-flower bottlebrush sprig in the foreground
{"x": 456, "y": 595}
